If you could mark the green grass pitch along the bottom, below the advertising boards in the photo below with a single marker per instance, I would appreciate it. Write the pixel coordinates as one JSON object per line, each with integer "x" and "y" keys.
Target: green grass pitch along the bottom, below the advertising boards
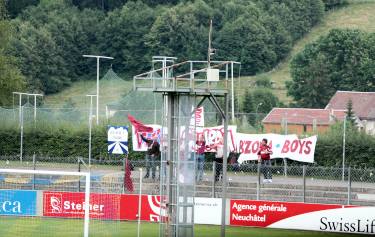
{"x": 35, "y": 227}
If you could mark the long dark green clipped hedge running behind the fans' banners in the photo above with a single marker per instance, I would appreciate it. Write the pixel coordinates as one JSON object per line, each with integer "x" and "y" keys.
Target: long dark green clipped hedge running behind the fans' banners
{"x": 360, "y": 148}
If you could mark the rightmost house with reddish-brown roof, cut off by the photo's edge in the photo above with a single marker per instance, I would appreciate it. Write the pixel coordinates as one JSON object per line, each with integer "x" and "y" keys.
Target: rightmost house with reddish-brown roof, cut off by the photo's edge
{"x": 363, "y": 107}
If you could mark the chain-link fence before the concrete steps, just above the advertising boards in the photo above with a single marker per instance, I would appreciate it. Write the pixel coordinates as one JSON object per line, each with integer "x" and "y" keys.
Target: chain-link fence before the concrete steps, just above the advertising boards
{"x": 309, "y": 184}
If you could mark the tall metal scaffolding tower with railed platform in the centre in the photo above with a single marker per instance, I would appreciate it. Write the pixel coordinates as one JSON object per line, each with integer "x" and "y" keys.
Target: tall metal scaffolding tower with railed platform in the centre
{"x": 183, "y": 85}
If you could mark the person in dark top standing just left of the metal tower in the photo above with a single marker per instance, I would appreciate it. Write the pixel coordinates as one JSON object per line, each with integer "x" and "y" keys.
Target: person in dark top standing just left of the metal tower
{"x": 152, "y": 155}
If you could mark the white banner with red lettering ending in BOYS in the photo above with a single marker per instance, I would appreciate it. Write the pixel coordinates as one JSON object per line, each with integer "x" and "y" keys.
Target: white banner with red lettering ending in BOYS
{"x": 283, "y": 146}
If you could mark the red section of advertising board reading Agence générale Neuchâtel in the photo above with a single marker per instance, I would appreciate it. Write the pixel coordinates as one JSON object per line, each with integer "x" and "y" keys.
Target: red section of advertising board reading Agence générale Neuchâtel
{"x": 264, "y": 213}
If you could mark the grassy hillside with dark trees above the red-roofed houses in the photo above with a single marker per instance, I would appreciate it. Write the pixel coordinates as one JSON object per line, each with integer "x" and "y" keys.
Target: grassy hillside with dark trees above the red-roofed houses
{"x": 357, "y": 16}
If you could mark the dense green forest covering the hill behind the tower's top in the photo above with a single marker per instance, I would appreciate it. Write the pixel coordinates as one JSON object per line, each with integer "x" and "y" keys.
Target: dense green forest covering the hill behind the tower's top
{"x": 47, "y": 38}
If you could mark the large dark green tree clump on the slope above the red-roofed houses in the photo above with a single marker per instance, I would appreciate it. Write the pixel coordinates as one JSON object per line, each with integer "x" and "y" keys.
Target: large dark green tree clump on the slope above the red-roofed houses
{"x": 341, "y": 60}
